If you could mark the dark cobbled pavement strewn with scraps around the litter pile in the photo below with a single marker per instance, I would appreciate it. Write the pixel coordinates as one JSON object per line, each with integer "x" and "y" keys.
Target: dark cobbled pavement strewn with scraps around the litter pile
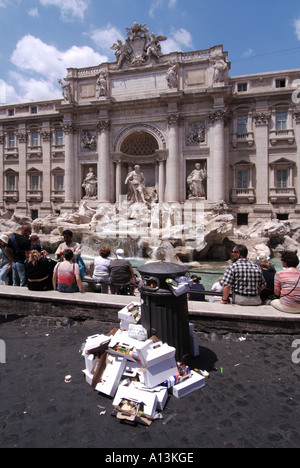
{"x": 251, "y": 399}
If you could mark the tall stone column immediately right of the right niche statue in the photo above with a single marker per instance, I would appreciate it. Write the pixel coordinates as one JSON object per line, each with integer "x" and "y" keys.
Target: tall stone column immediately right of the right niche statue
{"x": 218, "y": 178}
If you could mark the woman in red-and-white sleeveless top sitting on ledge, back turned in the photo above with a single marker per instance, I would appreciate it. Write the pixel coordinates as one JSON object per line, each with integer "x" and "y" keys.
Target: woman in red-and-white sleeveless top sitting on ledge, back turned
{"x": 66, "y": 276}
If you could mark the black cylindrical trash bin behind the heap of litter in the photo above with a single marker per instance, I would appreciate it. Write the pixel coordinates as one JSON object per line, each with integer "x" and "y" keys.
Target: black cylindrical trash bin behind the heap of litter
{"x": 164, "y": 314}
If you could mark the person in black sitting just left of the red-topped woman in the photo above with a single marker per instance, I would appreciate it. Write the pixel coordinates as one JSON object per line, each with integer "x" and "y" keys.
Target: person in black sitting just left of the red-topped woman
{"x": 38, "y": 270}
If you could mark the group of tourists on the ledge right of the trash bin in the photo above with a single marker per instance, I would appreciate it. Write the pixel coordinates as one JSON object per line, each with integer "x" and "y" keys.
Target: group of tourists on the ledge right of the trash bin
{"x": 249, "y": 283}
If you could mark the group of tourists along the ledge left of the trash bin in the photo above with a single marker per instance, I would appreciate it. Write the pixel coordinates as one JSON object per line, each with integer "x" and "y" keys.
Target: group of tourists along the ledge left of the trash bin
{"x": 24, "y": 263}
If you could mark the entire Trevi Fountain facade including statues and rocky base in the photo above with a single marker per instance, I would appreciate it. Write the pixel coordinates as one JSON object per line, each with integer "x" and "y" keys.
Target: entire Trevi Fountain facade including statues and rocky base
{"x": 165, "y": 155}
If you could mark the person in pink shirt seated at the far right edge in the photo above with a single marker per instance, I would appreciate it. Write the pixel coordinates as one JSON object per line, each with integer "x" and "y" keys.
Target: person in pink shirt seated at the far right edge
{"x": 287, "y": 285}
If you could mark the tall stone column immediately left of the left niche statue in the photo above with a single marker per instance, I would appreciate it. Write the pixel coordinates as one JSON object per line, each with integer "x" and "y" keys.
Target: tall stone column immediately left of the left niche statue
{"x": 69, "y": 203}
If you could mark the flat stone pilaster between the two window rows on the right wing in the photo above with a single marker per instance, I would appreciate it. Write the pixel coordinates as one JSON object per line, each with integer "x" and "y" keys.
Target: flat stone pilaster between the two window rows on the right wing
{"x": 261, "y": 121}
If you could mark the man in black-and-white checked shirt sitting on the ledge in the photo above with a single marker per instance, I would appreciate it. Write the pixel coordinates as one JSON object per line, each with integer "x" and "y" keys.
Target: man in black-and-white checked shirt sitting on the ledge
{"x": 244, "y": 279}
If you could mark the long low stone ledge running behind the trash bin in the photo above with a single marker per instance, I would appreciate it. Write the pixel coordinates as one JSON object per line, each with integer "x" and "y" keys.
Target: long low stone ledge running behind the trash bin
{"x": 207, "y": 316}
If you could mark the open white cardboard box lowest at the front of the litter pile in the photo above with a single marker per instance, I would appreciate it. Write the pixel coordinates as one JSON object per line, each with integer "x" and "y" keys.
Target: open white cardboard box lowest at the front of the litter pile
{"x": 131, "y": 393}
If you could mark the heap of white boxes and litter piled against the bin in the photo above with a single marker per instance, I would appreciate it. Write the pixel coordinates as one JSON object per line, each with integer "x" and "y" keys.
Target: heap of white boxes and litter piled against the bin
{"x": 137, "y": 372}
